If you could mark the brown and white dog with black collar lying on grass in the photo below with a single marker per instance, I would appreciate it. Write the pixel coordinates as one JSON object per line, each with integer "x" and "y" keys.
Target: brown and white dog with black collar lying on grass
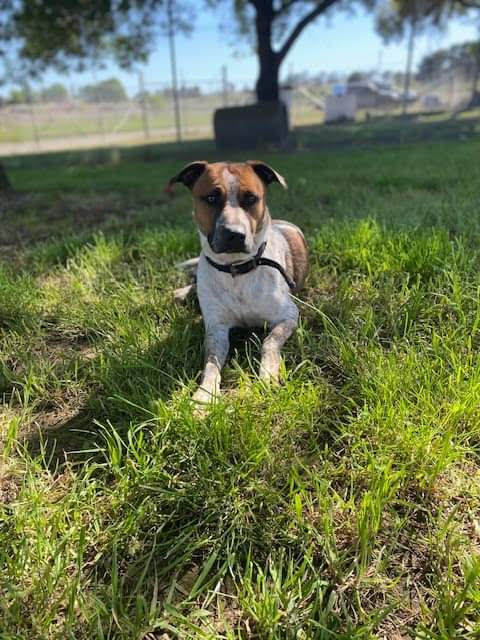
{"x": 248, "y": 266}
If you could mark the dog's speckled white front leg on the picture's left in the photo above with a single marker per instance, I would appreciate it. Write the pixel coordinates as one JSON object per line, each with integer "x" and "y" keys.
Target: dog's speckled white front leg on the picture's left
{"x": 216, "y": 346}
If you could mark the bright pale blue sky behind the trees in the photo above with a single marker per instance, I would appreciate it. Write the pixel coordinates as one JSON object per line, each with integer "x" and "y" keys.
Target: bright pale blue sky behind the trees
{"x": 340, "y": 43}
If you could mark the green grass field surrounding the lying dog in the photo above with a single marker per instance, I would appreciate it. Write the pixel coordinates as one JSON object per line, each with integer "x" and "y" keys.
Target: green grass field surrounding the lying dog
{"x": 343, "y": 504}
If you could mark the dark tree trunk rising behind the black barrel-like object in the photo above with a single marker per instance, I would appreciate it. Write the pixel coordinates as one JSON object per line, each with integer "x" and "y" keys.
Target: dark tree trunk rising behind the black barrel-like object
{"x": 267, "y": 84}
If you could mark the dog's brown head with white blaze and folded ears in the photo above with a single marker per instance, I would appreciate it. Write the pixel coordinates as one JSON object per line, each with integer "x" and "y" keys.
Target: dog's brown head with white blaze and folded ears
{"x": 229, "y": 201}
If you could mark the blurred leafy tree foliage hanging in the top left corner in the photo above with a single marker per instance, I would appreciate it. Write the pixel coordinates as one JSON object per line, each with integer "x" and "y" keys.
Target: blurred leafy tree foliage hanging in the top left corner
{"x": 66, "y": 34}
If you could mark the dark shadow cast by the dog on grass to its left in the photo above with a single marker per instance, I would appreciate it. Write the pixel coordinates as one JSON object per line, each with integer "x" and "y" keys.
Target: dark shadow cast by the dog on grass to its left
{"x": 124, "y": 386}
